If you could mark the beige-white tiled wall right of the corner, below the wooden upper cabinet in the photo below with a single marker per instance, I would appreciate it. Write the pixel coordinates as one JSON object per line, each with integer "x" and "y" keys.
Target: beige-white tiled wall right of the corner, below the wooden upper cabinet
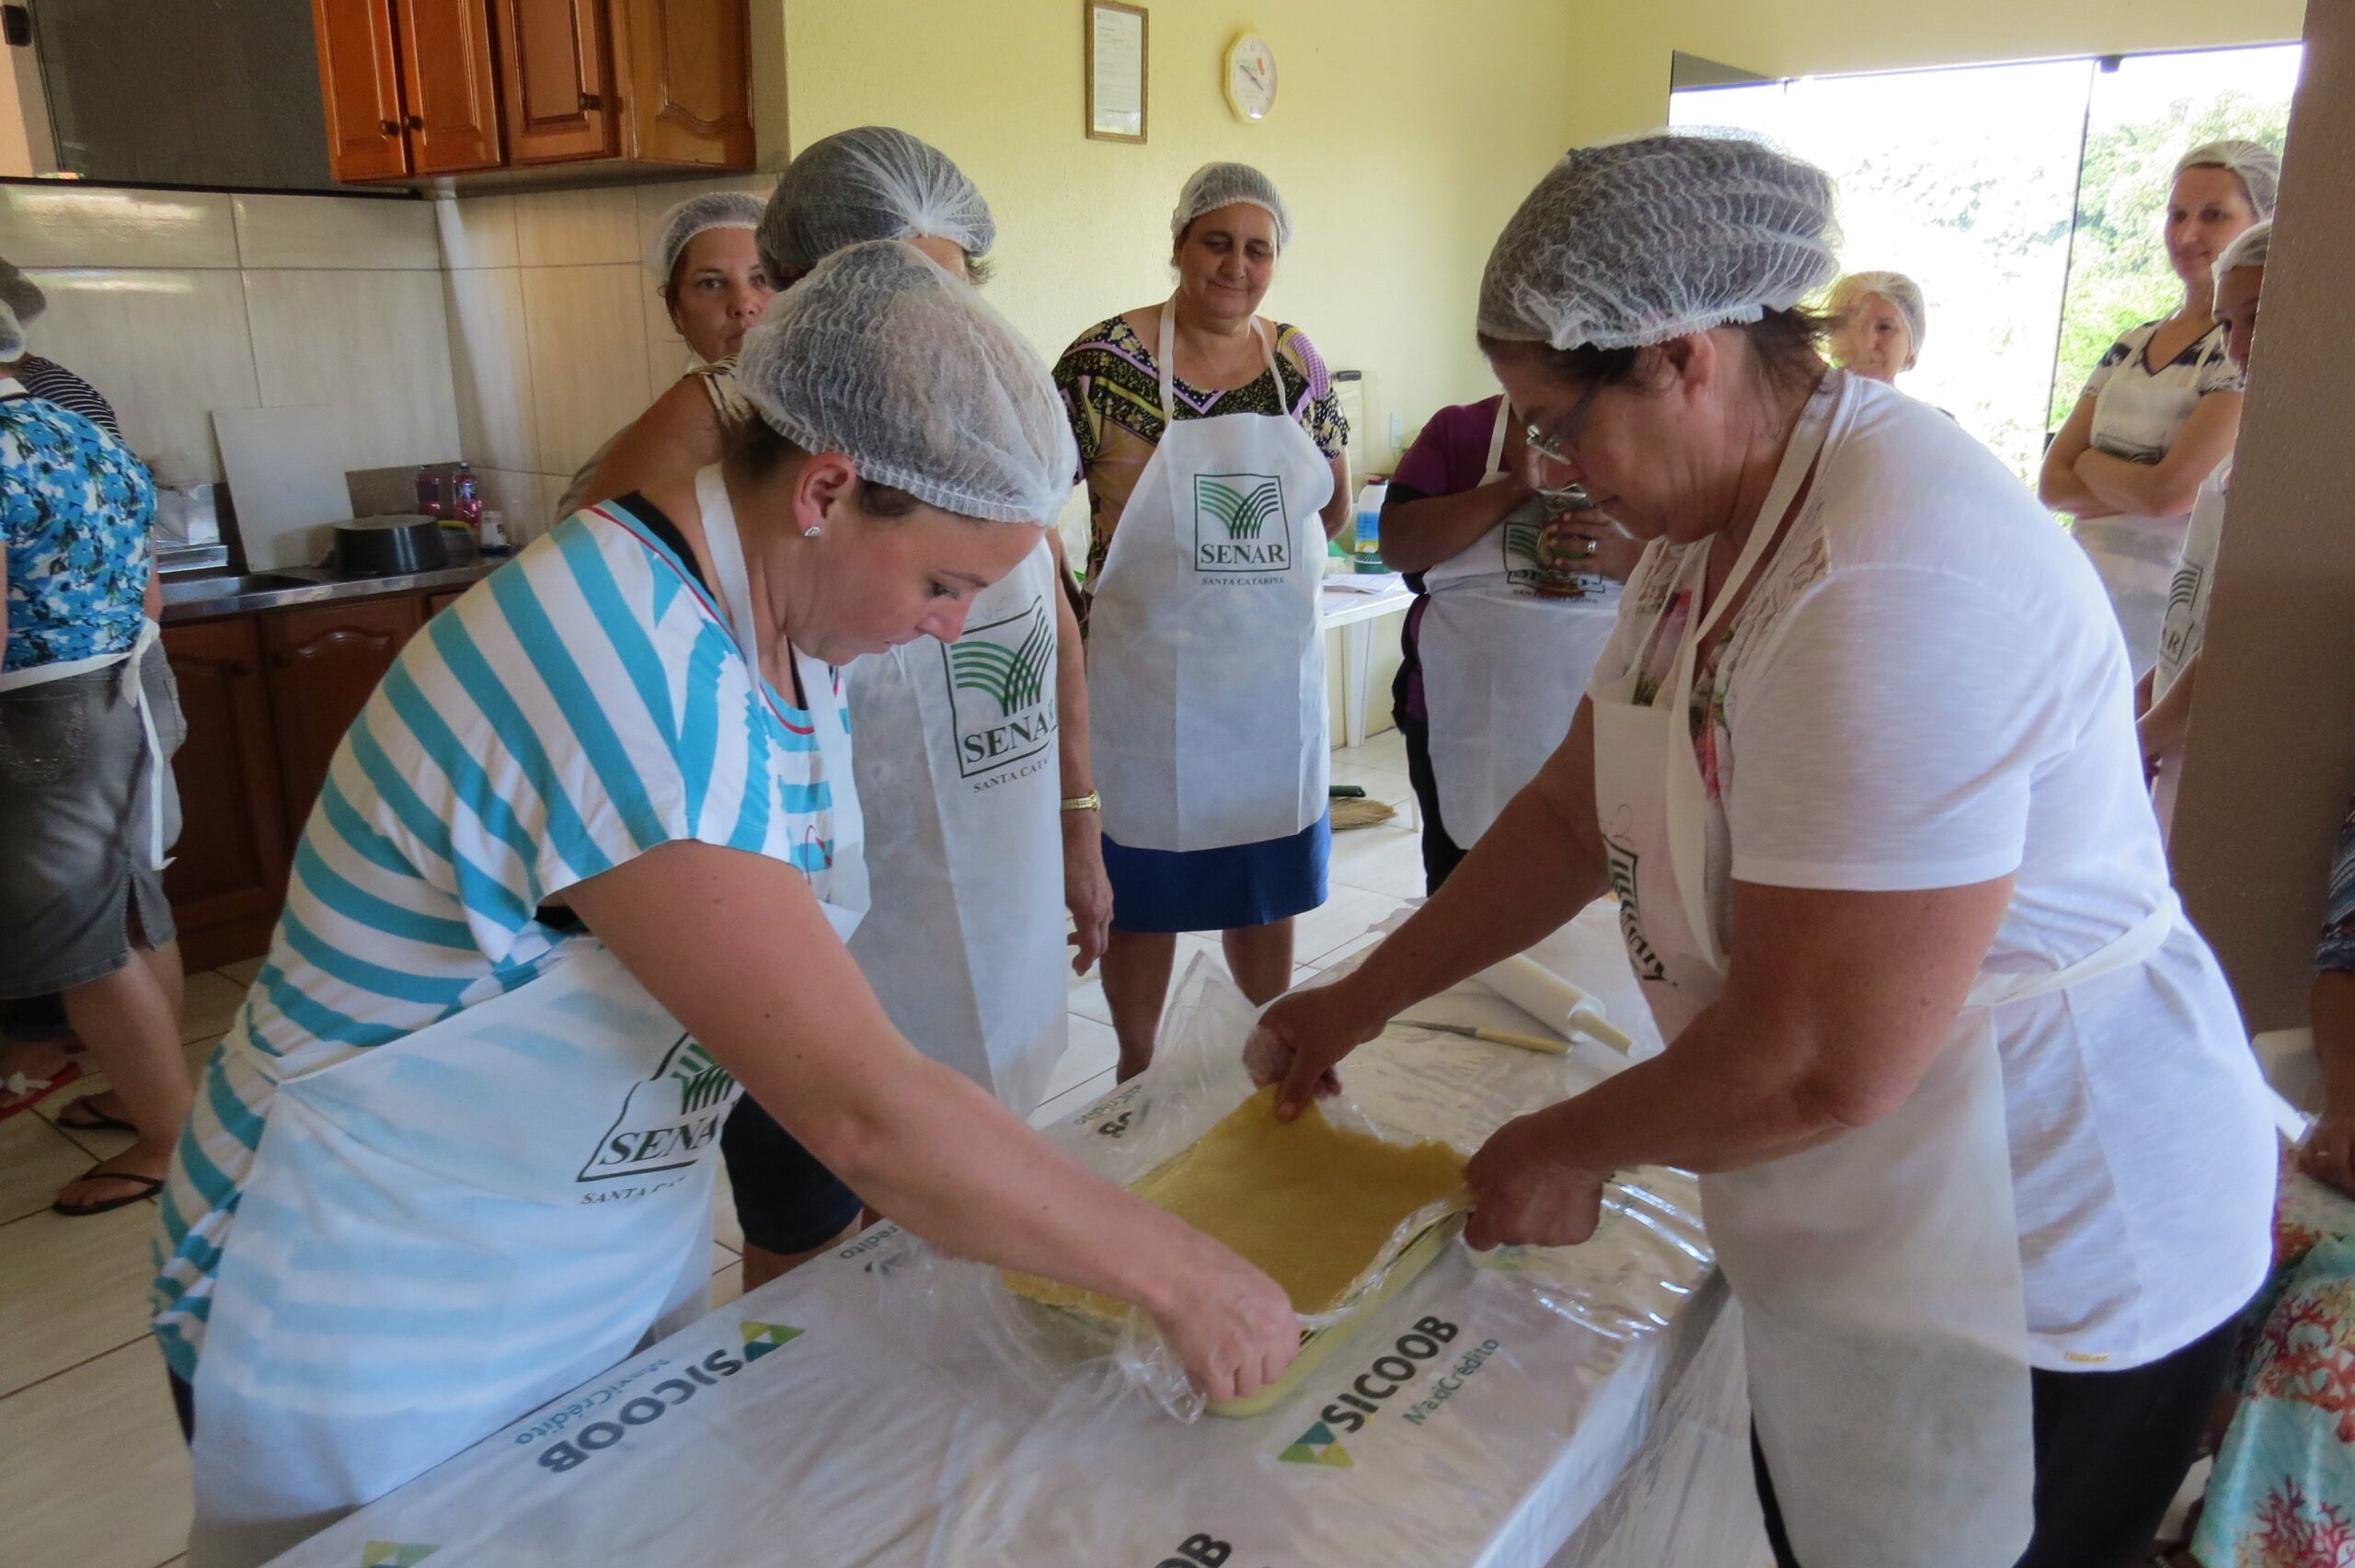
{"x": 557, "y": 331}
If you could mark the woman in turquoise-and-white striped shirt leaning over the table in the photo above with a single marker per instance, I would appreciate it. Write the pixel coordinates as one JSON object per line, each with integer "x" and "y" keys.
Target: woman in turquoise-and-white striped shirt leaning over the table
{"x": 451, "y": 1162}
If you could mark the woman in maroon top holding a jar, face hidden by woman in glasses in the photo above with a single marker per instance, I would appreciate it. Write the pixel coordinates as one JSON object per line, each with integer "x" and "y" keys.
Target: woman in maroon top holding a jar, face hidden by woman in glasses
{"x": 1520, "y": 592}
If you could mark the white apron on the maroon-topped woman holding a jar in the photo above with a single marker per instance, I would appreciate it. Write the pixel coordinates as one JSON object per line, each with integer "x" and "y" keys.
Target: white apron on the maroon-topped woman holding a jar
{"x": 1504, "y": 667}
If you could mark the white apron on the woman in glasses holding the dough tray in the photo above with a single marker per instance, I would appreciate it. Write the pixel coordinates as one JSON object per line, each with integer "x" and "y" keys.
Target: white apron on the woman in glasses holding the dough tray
{"x": 1880, "y": 1275}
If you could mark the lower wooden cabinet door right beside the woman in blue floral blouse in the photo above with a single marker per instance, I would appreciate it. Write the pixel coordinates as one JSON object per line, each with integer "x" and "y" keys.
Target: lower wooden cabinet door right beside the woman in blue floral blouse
{"x": 230, "y": 870}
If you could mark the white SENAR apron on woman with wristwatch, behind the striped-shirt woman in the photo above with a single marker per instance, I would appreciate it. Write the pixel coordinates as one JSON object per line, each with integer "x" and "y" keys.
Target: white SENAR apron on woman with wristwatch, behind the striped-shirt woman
{"x": 964, "y": 943}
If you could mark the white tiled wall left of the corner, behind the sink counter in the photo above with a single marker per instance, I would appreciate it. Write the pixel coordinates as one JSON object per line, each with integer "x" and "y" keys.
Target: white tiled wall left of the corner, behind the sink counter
{"x": 183, "y": 303}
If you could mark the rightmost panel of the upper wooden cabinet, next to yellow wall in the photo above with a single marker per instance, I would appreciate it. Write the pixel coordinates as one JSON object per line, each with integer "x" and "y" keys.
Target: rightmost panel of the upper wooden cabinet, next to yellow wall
{"x": 689, "y": 69}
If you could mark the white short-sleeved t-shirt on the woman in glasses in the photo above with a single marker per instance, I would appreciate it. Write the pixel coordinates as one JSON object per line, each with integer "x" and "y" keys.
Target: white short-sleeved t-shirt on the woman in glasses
{"x": 1928, "y": 691}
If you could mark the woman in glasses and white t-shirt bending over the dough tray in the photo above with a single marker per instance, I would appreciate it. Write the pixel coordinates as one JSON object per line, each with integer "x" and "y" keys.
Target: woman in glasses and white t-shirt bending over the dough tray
{"x": 1984, "y": 1152}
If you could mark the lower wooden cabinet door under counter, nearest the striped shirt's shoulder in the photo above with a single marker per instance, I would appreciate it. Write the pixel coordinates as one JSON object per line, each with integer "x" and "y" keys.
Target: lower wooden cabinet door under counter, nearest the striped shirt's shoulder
{"x": 324, "y": 665}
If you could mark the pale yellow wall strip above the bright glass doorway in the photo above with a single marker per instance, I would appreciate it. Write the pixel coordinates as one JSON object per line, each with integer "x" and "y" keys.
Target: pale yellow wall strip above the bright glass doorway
{"x": 1621, "y": 53}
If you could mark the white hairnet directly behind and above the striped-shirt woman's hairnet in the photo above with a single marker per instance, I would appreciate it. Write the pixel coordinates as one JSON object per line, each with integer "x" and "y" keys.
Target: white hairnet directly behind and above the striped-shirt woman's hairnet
{"x": 870, "y": 185}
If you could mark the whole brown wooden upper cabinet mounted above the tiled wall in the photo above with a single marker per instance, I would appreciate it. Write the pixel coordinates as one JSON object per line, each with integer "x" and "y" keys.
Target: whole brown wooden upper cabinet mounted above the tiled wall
{"x": 493, "y": 91}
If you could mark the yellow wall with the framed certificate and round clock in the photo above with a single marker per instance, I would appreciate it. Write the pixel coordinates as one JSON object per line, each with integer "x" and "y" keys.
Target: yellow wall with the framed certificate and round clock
{"x": 1402, "y": 140}
